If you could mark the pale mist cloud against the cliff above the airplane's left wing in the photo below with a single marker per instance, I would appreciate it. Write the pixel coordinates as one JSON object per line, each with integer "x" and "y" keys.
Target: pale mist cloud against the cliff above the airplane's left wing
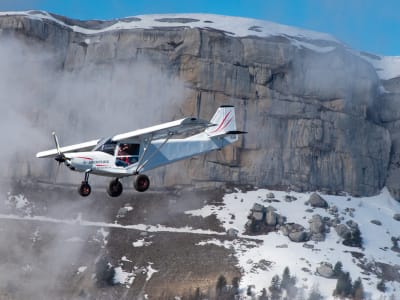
{"x": 93, "y": 102}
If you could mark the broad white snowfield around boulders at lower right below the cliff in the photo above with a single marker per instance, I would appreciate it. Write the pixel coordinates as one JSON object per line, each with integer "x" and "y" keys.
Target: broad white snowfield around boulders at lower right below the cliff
{"x": 303, "y": 261}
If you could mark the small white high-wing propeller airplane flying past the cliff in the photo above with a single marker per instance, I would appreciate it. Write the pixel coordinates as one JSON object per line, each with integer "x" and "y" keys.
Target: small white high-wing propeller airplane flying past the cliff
{"x": 138, "y": 151}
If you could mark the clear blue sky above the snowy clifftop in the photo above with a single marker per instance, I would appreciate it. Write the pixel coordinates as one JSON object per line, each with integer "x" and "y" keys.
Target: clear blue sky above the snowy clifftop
{"x": 367, "y": 25}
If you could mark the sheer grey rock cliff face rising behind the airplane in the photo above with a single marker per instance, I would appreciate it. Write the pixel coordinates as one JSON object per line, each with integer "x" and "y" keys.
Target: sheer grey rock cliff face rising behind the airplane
{"x": 306, "y": 108}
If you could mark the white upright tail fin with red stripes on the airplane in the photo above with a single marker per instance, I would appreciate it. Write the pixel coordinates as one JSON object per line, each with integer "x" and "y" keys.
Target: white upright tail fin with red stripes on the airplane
{"x": 223, "y": 121}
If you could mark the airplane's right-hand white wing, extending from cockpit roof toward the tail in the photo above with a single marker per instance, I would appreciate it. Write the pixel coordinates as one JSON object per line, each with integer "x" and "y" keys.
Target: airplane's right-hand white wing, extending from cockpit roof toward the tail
{"x": 163, "y": 130}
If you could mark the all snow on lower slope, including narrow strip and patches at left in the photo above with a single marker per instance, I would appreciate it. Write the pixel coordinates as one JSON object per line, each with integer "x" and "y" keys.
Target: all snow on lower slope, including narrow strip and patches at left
{"x": 262, "y": 256}
